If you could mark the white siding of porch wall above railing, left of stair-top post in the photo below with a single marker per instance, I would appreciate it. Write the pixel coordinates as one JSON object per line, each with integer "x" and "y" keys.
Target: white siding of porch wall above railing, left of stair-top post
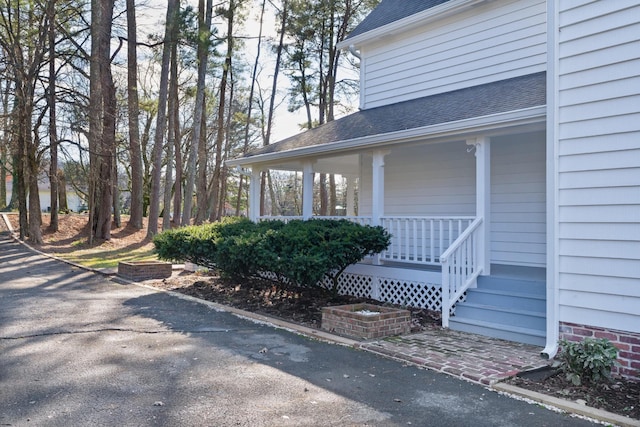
{"x": 424, "y": 180}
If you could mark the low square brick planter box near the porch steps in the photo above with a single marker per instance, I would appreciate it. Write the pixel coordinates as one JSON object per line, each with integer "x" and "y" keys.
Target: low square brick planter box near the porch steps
{"x": 366, "y": 321}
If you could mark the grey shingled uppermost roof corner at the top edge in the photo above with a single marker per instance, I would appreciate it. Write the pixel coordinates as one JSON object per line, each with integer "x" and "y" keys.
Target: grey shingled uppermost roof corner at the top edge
{"x": 389, "y": 11}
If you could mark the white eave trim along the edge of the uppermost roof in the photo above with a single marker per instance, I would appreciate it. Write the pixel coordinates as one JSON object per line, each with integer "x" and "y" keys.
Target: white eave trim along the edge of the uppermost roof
{"x": 410, "y": 22}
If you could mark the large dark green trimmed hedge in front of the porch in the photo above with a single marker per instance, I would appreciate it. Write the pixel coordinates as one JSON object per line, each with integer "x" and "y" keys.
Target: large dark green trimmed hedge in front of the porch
{"x": 300, "y": 252}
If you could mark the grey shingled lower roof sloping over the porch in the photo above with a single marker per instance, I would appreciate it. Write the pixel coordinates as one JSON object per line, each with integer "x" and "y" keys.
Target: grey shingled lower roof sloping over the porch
{"x": 492, "y": 98}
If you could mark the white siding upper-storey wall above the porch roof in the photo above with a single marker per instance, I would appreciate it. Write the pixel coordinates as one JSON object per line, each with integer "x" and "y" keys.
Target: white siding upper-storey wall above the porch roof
{"x": 493, "y": 41}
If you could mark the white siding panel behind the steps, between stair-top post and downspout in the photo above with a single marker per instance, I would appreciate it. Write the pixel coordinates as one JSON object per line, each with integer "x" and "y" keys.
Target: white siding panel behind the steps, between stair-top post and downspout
{"x": 518, "y": 201}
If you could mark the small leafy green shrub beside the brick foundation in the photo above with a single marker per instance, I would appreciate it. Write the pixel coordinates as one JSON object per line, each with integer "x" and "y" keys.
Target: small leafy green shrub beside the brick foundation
{"x": 587, "y": 361}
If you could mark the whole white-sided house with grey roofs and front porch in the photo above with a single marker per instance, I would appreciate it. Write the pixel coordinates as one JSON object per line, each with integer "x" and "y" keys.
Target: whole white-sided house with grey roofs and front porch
{"x": 499, "y": 142}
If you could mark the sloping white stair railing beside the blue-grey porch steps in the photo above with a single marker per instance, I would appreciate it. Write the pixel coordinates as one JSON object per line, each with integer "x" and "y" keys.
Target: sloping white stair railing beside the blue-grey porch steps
{"x": 460, "y": 267}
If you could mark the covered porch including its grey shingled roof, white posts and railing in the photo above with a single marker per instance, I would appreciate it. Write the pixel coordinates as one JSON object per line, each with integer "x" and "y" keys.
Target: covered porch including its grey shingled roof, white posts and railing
{"x": 459, "y": 184}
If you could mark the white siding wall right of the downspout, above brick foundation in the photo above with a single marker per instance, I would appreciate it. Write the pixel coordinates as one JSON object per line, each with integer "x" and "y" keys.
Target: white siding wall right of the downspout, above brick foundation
{"x": 597, "y": 147}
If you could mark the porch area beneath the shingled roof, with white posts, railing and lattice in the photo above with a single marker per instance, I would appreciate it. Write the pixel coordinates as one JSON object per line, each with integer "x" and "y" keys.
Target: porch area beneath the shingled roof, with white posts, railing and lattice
{"x": 456, "y": 210}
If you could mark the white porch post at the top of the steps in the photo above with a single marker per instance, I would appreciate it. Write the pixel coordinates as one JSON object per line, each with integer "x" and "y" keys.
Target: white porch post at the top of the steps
{"x": 483, "y": 200}
